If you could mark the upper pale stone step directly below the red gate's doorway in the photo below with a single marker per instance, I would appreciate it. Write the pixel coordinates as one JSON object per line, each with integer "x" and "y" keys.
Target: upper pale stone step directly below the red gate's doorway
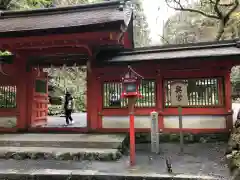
{"x": 105, "y": 141}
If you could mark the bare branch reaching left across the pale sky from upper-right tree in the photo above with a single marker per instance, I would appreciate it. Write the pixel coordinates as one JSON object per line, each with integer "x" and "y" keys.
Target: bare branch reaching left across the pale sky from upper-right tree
{"x": 182, "y": 8}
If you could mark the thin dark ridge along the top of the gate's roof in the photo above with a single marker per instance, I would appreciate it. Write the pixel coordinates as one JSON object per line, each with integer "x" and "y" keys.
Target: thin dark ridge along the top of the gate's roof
{"x": 55, "y": 10}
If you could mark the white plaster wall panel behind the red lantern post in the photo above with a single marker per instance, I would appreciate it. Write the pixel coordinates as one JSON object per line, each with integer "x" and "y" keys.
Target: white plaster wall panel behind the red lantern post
{"x": 123, "y": 122}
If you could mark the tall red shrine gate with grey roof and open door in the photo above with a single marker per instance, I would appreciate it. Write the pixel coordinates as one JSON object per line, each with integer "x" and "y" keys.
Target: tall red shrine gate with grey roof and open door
{"x": 37, "y": 43}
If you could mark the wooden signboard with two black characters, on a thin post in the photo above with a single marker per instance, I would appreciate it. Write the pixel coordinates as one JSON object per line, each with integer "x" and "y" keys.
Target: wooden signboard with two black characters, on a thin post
{"x": 179, "y": 93}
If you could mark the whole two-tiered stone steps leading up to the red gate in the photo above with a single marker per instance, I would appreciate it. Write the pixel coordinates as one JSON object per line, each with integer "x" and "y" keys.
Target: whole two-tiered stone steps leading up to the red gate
{"x": 101, "y": 147}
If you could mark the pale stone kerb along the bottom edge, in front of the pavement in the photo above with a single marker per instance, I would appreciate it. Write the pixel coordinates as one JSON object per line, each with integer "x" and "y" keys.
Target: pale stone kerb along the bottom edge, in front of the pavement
{"x": 63, "y": 174}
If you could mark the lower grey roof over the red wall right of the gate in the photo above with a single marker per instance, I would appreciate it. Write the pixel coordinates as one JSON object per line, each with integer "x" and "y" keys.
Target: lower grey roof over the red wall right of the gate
{"x": 197, "y": 50}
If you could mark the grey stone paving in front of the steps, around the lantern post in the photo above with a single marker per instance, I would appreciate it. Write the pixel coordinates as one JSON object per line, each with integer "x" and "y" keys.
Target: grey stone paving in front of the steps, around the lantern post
{"x": 198, "y": 160}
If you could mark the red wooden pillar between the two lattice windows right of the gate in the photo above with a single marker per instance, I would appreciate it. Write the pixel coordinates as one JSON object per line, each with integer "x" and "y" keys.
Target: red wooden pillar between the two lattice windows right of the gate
{"x": 160, "y": 100}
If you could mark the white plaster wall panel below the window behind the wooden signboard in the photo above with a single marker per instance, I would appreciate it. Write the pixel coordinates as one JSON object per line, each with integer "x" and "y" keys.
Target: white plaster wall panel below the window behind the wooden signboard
{"x": 196, "y": 122}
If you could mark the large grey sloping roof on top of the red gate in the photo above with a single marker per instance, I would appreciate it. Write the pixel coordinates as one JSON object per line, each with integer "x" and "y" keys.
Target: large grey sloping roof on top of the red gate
{"x": 62, "y": 18}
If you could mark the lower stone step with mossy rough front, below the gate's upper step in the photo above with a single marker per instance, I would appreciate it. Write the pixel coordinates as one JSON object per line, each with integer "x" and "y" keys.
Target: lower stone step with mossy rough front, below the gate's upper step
{"x": 57, "y": 153}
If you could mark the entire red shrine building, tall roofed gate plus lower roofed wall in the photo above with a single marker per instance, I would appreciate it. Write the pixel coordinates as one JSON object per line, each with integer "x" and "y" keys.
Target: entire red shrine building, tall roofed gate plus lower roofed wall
{"x": 101, "y": 37}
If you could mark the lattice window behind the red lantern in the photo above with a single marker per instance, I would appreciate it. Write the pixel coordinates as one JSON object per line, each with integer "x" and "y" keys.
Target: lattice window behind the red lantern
{"x": 112, "y": 95}
